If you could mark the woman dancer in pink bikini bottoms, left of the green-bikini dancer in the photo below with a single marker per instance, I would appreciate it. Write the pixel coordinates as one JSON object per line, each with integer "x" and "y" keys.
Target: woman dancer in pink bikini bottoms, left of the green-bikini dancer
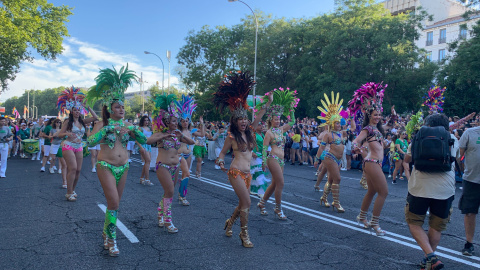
{"x": 74, "y": 128}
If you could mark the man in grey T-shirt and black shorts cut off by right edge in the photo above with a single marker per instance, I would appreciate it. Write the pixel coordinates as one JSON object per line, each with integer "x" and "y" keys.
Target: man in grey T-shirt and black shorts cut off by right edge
{"x": 470, "y": 200}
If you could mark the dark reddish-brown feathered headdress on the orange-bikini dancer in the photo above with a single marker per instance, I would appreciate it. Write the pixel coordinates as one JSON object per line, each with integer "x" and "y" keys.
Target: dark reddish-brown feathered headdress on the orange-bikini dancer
{"x": 233, "y": 92}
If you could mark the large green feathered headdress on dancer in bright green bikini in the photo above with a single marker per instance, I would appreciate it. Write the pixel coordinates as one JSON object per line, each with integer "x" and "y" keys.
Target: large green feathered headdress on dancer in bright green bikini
{"x": 111, "y": 86}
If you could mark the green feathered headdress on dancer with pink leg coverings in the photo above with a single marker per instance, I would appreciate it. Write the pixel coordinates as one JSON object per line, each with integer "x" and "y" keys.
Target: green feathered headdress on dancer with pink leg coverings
{"x": 164, "y": 109}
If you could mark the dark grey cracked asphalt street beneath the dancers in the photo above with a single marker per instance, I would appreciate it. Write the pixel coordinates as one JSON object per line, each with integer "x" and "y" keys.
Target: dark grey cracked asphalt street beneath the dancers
{"x": 39, "y": 229}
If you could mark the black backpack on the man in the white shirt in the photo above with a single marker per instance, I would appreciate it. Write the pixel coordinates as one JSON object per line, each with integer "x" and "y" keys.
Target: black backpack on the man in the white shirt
{"x": 431, "y": 150}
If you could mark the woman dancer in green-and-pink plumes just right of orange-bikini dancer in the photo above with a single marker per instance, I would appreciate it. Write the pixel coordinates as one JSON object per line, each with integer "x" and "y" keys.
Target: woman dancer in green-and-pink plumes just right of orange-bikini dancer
{"x": 284, "y": 103}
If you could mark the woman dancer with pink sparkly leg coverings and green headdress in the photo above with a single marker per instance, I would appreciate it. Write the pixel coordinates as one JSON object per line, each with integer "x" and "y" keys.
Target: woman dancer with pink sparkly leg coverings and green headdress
{"x": 169, "y": 140}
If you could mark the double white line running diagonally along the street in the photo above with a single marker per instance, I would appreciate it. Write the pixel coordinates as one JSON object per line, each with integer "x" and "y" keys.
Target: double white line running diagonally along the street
{"x": 345, "y": 223}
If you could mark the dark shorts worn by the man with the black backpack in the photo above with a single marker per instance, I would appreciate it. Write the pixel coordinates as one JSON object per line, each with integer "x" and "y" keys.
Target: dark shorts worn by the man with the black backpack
{"x": 440, "y": 211}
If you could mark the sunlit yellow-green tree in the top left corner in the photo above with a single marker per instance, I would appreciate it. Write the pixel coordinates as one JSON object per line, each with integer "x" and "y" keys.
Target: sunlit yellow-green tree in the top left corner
{"x": 29, "y": 23}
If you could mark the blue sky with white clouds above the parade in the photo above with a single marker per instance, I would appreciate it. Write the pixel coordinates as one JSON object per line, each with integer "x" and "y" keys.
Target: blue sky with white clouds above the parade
{"x": 107, "y": 32}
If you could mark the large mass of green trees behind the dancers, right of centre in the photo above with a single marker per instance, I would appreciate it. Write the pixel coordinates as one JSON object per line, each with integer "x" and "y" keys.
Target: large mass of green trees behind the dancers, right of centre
{"x": 358, "y": 43}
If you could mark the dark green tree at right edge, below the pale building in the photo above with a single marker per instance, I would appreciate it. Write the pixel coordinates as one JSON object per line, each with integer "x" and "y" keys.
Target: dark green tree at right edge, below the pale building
{"x": 461, "y": 76}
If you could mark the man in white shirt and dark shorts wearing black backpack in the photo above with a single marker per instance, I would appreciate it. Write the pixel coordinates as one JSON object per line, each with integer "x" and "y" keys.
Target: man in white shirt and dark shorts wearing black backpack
{"x": 431, "y": 186}
